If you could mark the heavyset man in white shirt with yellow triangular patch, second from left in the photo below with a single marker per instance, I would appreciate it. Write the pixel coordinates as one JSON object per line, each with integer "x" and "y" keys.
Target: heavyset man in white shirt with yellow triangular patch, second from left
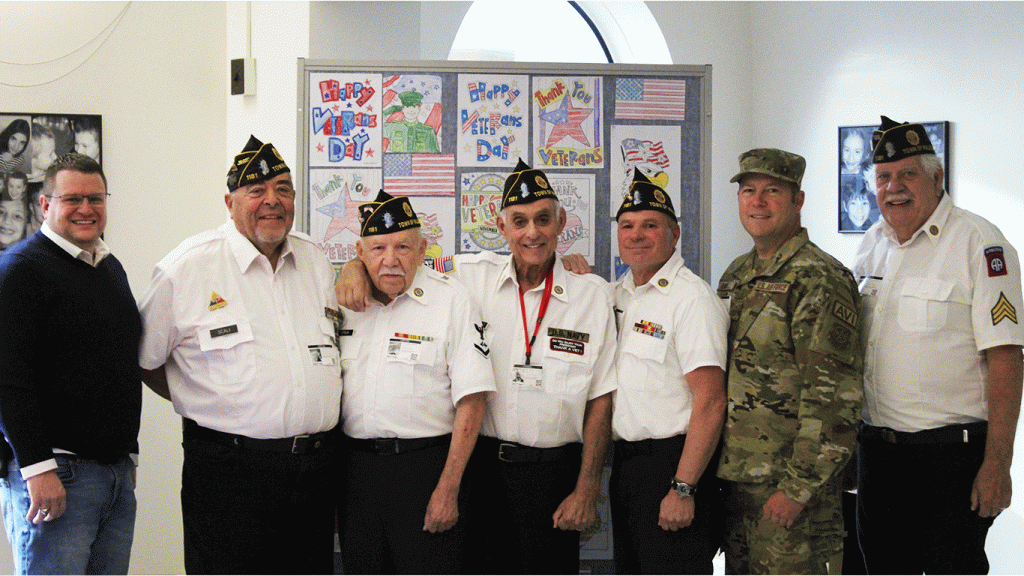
{"x": 240, "y": 334}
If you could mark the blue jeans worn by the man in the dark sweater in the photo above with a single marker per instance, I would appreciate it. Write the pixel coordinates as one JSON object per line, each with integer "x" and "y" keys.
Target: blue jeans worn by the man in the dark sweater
{"x": 94, "y": 537}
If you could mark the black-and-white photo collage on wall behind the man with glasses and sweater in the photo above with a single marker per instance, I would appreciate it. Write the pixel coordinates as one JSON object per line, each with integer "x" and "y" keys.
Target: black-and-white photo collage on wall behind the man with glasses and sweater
{"x": 29, "y": 144}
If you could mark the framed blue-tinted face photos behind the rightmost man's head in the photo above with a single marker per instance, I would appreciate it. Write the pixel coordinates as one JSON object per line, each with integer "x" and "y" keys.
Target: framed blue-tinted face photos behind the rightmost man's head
{"x": 859, "y": 208}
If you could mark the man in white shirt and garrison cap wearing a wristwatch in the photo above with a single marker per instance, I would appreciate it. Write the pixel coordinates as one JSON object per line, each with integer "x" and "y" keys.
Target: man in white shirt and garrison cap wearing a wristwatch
{"x": 670, "y": 406}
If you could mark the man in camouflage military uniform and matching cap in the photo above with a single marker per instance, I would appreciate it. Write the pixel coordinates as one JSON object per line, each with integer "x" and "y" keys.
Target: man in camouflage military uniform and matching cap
{"x": 794, "y": 382}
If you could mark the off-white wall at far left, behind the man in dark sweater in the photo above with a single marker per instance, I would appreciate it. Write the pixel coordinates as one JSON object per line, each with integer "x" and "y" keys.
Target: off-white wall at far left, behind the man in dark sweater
{"x": 160, "y": 84}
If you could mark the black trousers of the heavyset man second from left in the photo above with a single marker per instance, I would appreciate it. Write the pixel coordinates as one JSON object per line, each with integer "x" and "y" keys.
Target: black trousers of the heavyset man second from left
{"x": 254, "y": 512}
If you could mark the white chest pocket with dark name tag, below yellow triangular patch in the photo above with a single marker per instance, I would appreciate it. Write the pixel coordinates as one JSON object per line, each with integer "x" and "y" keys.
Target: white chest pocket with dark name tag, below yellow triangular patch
{"x": 229, "y": 349}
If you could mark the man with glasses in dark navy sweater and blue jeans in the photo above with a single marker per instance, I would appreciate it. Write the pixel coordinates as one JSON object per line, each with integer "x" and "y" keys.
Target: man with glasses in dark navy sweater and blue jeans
{"x": 70, "y": 387}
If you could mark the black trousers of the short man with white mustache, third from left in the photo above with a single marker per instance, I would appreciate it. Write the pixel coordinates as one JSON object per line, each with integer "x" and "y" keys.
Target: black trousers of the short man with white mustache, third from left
{"x": 382, "y": 510}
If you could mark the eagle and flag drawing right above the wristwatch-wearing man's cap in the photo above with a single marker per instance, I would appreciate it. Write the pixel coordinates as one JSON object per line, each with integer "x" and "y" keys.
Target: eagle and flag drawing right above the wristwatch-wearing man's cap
{"x": 655, "y": 151}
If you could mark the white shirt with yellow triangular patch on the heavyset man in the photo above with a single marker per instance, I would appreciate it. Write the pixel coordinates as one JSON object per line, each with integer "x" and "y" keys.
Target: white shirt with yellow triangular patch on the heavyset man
{"x": 248, "y": 350}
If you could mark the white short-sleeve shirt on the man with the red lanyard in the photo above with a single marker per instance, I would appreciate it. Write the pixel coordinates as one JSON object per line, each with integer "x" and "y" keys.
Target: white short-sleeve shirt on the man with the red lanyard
{"x": 575, "y": 346}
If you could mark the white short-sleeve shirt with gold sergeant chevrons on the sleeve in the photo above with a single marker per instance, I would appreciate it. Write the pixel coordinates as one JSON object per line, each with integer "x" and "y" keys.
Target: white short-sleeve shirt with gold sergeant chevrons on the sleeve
{"x": 930, "y": 307}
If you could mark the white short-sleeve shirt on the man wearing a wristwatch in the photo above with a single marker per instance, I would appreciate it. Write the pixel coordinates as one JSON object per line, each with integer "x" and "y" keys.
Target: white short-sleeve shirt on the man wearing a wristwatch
{"x": 668, "y": 327}
